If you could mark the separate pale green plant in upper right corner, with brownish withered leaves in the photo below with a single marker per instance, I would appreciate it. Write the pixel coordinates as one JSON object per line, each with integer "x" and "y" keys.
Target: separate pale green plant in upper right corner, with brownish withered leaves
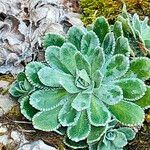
{"x": 136, "y": 30}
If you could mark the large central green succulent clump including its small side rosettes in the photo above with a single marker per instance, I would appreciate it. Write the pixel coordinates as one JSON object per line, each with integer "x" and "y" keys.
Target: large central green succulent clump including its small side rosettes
{"x": 86, "y": 81}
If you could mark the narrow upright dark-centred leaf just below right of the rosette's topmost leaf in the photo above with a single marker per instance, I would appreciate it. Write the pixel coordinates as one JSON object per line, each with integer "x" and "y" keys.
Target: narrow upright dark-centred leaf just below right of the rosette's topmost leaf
{"x": 109, "y": 44}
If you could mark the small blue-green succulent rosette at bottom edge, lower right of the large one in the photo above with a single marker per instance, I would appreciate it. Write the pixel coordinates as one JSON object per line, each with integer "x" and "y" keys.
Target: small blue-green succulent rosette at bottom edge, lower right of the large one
{"x": 112, "y": 138}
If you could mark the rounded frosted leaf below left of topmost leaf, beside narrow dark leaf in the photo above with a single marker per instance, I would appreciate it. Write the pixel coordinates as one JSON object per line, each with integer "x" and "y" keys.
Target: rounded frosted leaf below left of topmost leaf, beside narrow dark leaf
{"x": 89, "y": 42}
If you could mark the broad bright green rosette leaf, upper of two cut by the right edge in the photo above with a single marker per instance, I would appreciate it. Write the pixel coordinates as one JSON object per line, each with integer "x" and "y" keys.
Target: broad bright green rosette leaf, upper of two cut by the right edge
{"x": 140, "y": 67}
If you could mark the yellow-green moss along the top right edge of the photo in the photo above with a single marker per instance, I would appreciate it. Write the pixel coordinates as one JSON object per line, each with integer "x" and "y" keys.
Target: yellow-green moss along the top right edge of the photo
{"x": 111, "y": 8}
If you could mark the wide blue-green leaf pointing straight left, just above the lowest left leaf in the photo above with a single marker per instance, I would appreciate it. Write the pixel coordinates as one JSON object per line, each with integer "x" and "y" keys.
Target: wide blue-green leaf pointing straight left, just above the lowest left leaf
{"x": 45, "y": 100}
